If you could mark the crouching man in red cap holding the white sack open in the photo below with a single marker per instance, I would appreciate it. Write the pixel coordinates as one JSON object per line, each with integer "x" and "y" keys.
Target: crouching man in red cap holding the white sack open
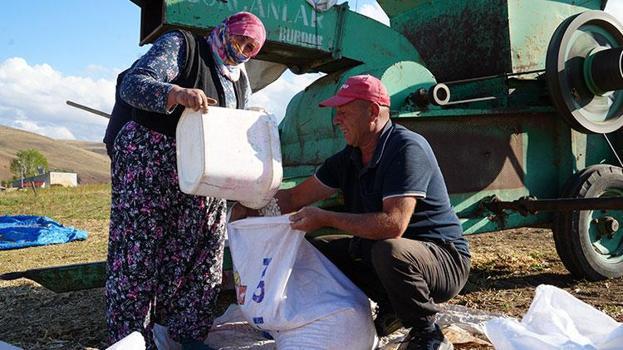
{"x": 407, "y": 249}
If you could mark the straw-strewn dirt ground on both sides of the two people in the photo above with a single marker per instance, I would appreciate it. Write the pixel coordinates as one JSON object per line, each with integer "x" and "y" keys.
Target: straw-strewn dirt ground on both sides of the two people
{"x": 507, "y": 266}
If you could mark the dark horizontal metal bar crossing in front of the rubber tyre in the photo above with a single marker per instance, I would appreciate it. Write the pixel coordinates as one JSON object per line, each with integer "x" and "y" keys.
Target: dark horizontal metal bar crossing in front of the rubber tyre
{"x": 527, "y": 206}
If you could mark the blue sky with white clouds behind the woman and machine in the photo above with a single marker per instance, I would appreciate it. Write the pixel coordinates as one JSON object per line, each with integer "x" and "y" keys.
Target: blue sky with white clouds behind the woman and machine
{"x": 52, "y": 51}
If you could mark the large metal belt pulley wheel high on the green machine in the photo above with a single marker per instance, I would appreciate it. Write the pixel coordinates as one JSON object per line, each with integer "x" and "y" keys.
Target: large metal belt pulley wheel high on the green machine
{"x": 568, "y": 67}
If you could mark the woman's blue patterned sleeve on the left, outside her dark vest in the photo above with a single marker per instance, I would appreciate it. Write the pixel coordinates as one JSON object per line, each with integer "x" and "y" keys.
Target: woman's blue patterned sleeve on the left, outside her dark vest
{"x": 147, "y": 84}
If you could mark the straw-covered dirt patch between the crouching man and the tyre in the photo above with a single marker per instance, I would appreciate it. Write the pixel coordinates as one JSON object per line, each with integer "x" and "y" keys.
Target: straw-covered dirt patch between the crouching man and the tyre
{"x": 508, "y": 265}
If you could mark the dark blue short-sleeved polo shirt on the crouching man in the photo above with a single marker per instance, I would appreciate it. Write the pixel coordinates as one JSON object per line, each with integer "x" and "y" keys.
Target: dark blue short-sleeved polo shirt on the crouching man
{"x": 403, "y": 165}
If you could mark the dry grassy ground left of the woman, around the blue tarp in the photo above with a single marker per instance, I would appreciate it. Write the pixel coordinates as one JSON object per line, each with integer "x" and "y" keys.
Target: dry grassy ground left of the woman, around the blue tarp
{"x": 33, "y": 317}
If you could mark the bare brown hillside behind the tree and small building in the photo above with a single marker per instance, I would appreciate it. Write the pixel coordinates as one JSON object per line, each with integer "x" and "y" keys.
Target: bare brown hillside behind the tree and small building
{"x": 88, "y": 159}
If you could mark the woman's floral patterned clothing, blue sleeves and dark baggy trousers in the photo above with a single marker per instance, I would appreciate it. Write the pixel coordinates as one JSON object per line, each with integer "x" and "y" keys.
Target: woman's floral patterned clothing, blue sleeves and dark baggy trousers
{"x": 165, "y": 247}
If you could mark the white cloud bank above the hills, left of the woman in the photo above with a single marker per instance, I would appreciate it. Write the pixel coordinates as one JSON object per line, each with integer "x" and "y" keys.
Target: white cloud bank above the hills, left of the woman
{"x": 33, "y": 99}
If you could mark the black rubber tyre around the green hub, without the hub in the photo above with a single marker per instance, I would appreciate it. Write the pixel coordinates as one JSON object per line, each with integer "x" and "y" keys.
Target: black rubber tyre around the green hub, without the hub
{"x": 572, "y": 240}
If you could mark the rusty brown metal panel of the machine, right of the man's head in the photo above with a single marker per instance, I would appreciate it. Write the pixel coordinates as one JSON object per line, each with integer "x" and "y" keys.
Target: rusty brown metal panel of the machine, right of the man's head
{"x": 481, "y": 157}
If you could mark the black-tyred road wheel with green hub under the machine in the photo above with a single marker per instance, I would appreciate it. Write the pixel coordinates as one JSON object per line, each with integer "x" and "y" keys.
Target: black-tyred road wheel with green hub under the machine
{"x": 590, "y": 242}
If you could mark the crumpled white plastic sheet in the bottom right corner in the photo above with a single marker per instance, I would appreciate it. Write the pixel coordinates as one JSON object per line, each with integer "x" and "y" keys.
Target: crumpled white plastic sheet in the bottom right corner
{"x": 556, "y": 320}
